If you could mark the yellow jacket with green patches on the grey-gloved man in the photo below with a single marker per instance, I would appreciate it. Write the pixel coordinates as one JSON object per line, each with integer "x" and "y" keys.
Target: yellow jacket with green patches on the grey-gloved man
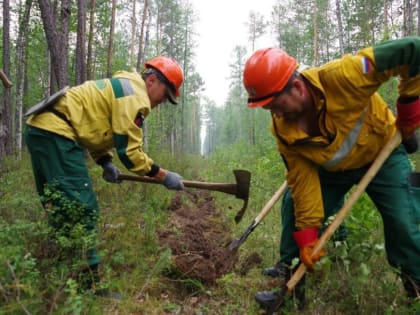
{"x": 102, "y": 115}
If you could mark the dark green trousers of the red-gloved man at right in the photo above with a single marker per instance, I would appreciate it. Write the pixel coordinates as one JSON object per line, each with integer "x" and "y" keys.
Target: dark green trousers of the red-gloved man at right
{"x": 395, "y": 192}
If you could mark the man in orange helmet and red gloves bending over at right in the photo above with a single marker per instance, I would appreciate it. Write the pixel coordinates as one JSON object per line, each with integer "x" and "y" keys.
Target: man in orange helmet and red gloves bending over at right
{"x": 330, "y": 123}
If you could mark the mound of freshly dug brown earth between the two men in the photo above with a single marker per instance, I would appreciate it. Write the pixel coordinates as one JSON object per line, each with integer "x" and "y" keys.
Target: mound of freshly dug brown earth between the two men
{"x": 198, "y": 235}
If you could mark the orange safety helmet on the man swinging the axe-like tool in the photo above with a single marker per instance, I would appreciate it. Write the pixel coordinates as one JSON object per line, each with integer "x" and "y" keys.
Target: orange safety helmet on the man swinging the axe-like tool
{"x": 172, "y": 73}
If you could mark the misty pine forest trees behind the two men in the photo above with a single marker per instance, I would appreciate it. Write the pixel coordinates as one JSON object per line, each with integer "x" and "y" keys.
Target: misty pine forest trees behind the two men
{"x": 49, "y": 44}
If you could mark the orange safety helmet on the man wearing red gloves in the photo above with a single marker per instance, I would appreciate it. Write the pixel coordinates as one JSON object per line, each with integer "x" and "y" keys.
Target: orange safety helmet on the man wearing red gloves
{"x": 266, "y": 73}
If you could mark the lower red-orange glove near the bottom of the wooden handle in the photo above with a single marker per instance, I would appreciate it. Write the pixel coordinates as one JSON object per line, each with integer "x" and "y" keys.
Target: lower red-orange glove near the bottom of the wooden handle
{"x": 306, "y": 240}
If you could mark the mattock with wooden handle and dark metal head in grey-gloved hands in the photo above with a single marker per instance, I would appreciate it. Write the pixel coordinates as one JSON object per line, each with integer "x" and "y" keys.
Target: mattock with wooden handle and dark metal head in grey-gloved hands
{"x": 240, "y": 189}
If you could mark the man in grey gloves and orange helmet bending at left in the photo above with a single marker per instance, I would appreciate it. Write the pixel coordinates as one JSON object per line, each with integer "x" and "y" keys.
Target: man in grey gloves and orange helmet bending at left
{"x": 99, "y": 116}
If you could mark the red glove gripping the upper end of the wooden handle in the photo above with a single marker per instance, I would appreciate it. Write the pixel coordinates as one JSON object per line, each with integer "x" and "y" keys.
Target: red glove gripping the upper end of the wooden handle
{"x": 408, "y": 115}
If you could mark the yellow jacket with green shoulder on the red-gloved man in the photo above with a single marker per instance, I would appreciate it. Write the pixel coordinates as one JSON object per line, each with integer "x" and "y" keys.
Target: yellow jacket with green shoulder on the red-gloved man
{"x": 354, "y": 120}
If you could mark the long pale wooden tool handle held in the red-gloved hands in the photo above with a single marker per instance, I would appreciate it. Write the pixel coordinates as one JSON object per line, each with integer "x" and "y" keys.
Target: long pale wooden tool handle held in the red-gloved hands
{"x": 364, "y": 182}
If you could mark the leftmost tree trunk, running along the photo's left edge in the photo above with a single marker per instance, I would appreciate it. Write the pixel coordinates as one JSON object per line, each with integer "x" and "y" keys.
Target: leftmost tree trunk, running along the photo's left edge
{"x": 6, "y": 117}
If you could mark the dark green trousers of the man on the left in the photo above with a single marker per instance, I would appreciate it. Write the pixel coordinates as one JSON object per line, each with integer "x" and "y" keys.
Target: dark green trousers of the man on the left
{"x": 59, "y": 160}
